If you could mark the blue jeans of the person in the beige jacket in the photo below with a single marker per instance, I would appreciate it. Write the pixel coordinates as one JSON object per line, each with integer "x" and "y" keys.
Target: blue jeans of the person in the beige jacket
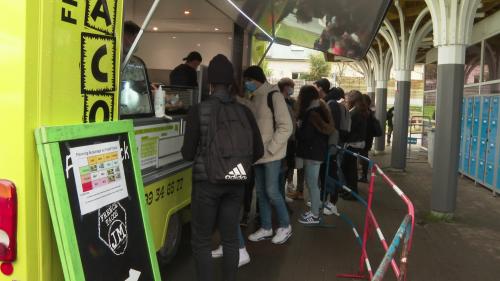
{"x": 268, "y": 192}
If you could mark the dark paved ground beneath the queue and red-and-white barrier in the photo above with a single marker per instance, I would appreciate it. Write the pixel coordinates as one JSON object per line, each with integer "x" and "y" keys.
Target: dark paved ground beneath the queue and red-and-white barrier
{"x": 465, "y": 249}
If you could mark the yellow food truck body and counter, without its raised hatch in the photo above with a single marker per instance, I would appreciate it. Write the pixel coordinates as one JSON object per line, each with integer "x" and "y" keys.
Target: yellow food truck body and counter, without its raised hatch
{"x": 61, "y": 66}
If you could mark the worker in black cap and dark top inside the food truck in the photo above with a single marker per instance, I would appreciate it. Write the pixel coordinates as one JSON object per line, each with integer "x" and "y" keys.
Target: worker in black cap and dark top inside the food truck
{"x": 185, "y": 74}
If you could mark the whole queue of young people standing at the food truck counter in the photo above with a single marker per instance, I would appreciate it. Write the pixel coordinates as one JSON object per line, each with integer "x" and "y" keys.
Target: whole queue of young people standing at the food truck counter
{"x": 261, "y": 136}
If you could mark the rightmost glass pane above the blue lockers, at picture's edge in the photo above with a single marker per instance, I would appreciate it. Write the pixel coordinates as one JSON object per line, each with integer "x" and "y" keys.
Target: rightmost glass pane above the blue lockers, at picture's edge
{"x": 491, "y": 69}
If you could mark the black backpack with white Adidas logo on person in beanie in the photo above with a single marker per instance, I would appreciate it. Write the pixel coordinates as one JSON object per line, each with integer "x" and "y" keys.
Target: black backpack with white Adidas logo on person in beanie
{"x": 229, "y": 151}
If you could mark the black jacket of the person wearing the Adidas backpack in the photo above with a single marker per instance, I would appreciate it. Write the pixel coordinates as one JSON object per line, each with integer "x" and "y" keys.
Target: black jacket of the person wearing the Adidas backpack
{"x": 195, "y": 137}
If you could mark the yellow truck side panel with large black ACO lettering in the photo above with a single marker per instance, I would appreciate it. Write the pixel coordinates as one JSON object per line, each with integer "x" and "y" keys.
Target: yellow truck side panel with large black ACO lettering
{"x": 83, "y": 61}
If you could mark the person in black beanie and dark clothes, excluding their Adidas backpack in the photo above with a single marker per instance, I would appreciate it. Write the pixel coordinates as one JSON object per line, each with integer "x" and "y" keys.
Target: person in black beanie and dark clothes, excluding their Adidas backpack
{"x": 216, "y": 205}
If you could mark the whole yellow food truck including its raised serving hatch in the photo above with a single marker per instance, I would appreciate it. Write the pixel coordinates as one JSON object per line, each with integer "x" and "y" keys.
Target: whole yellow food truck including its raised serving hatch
{"x": 62, "y": 64}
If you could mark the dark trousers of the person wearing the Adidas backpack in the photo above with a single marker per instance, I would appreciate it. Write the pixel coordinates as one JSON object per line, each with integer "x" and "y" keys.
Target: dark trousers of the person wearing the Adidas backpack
{"x": 215, "y": 206}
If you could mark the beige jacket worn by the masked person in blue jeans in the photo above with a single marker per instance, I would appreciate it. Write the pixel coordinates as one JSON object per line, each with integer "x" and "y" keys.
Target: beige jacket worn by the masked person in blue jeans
{"x": 274, "y": 141}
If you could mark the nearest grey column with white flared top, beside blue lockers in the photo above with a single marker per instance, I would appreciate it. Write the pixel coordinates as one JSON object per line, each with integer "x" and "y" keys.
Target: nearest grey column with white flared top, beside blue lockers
{"x": 452, "y": 23}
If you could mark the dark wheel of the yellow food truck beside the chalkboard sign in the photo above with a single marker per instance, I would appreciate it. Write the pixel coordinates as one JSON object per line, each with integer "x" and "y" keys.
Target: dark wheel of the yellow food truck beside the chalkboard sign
{"x": 172, "y": 240}
